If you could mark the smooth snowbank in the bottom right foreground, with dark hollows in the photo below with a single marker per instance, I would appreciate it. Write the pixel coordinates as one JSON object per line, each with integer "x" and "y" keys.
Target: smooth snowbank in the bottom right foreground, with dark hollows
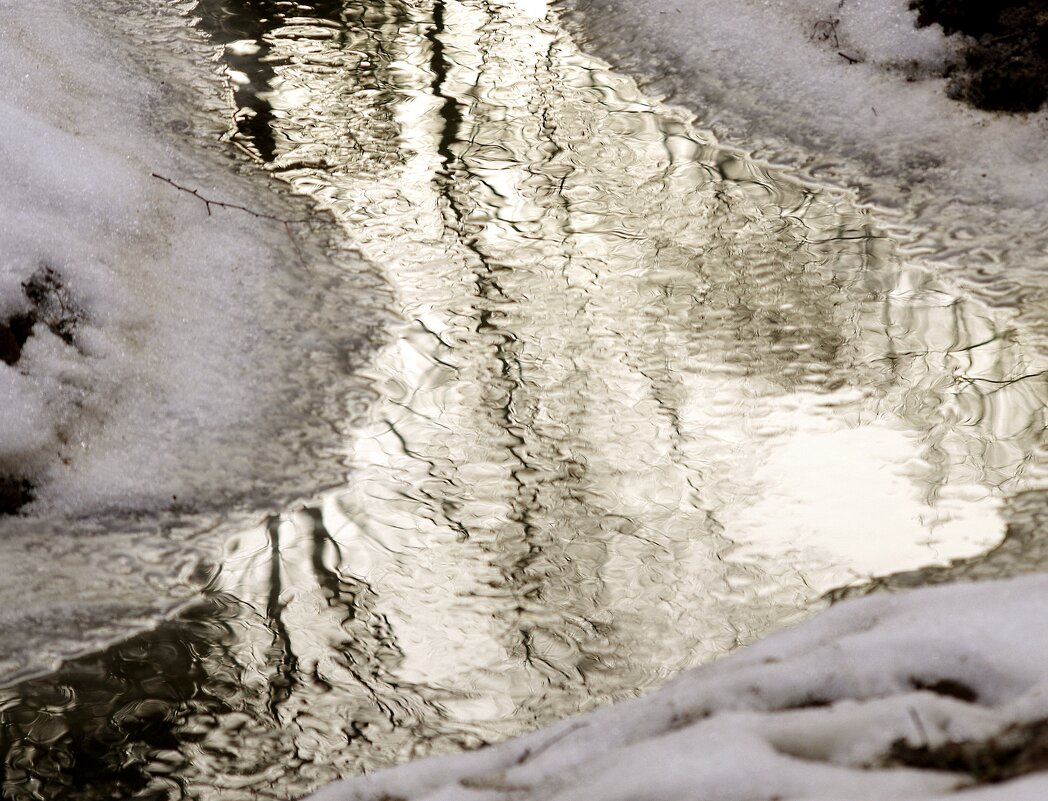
{"x": 929, "y": 695}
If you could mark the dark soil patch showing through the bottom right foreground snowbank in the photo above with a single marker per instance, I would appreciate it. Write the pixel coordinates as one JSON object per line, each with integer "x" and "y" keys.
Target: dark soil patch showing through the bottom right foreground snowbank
{"x": 1019, "y": 751}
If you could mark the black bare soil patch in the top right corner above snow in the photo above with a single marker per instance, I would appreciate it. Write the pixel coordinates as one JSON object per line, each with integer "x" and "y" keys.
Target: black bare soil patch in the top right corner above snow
{"x": 1007, "y": 67}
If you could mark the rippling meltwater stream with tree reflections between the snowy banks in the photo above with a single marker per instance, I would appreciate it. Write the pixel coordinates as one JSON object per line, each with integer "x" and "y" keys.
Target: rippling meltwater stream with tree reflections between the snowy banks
{"x": 649, "y": 402}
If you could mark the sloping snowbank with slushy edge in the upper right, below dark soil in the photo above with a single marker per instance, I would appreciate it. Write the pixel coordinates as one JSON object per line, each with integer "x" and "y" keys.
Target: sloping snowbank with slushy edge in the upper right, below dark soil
{"x": 853, "y": 94}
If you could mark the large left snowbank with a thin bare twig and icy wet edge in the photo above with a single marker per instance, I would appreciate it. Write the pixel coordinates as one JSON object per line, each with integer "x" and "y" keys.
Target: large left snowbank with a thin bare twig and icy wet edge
{"x": 165, "y": 364}
